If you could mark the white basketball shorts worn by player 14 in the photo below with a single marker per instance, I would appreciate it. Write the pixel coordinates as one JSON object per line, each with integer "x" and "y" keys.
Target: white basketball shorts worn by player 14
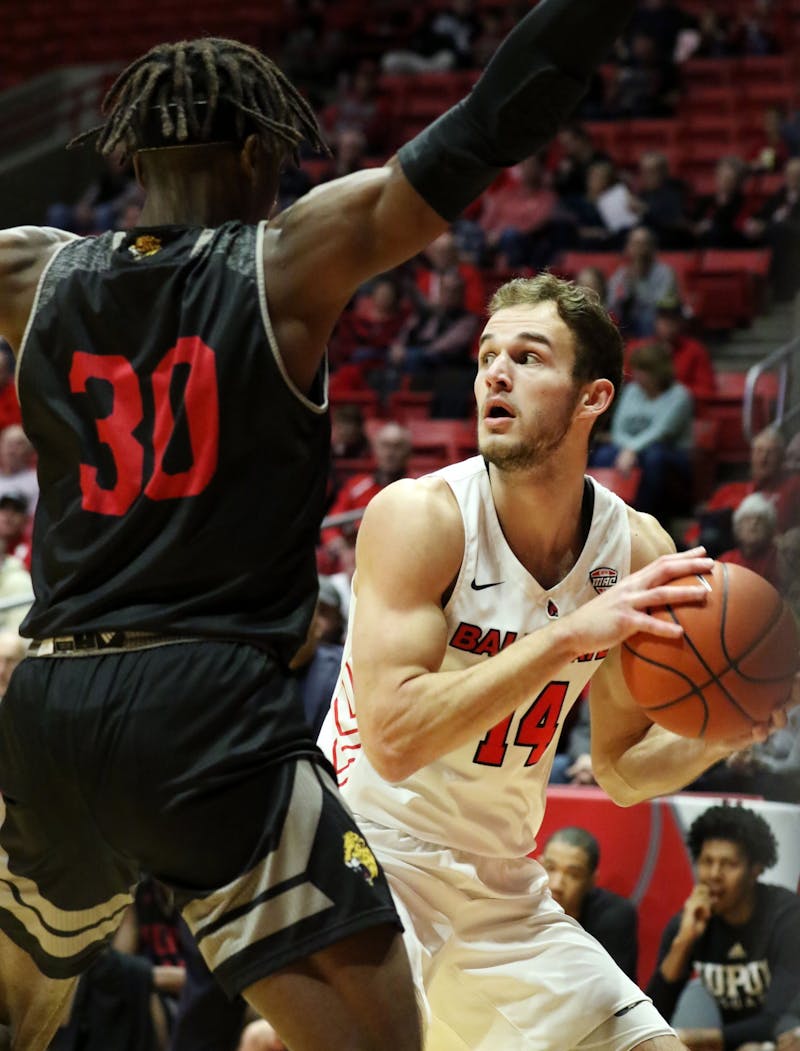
{"x": 497, "y": 962}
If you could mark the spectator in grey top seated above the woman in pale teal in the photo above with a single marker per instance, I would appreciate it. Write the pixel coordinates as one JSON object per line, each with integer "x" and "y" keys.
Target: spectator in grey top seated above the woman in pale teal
{"x": 641, "y": 284}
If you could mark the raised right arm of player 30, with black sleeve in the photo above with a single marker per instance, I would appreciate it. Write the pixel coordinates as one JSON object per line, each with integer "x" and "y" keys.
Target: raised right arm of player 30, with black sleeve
{"x": 322, "y": 249}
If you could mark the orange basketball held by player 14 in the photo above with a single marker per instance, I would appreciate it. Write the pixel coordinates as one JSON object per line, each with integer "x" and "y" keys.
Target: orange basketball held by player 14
{"x": 732, "y": 667}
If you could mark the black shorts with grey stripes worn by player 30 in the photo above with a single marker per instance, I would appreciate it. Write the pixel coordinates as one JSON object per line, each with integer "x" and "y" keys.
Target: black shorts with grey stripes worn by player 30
{"x": 191, "y": 763}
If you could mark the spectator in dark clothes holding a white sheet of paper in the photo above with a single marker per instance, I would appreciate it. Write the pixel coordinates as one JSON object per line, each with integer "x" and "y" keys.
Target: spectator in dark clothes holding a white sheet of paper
{"x": 604, "y": 215}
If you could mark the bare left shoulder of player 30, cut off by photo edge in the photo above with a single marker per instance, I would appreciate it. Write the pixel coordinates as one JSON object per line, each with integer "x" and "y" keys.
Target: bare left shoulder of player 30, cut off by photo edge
{"x": 25, "y": 252}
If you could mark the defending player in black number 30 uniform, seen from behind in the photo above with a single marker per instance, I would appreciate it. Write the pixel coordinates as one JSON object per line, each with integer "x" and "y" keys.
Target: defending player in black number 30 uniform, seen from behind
{"x": 173, "y": 380}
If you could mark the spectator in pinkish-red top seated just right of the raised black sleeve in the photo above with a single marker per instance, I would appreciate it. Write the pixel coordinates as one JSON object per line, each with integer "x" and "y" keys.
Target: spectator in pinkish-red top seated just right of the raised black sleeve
{"x": 519, "y": 219}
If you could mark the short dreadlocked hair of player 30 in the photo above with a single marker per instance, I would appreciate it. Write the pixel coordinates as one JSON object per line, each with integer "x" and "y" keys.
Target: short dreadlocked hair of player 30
{"x": 209, "y": 90}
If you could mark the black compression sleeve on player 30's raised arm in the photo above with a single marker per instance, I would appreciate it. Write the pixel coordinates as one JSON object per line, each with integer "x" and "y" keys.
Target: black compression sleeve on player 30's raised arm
{"x": 529, "y": 88}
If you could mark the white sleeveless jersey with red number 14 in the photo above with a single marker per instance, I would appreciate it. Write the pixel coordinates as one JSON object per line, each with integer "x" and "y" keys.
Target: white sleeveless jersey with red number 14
{"x": 487, "y": 797}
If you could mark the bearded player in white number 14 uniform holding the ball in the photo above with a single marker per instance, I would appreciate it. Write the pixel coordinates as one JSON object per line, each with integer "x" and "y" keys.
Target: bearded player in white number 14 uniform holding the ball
{"x": 487, "y": 595}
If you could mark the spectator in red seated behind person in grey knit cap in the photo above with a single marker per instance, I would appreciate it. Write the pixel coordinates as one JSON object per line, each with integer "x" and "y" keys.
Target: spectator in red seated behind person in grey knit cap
{"x": 714, "y": 529}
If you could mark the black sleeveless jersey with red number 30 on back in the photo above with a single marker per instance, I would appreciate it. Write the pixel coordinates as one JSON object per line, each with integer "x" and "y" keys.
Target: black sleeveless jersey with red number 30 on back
{"x": 182, "y": 475}
